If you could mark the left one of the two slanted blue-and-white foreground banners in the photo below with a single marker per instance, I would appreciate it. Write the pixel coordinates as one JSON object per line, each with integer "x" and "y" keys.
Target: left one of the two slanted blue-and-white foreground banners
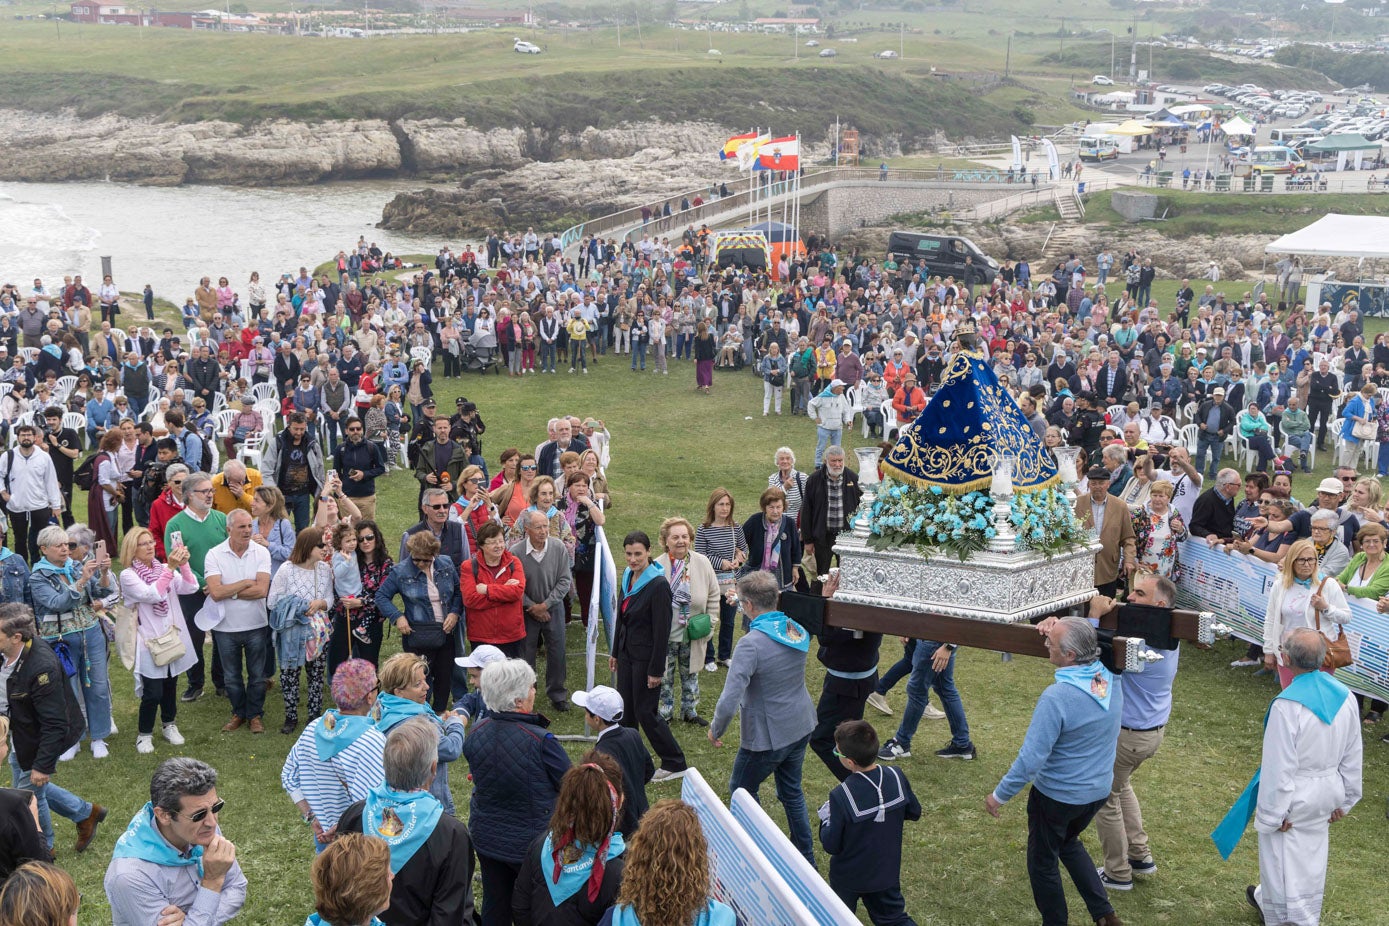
{"x": 744, "y": 878}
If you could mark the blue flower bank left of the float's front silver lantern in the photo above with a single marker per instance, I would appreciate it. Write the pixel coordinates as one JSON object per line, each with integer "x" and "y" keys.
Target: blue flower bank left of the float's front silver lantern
{"x": 931, "y": 521}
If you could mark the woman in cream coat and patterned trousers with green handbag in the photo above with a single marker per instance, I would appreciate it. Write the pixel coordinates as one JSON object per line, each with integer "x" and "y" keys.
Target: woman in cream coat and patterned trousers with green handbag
{"x": 694, "y": 592}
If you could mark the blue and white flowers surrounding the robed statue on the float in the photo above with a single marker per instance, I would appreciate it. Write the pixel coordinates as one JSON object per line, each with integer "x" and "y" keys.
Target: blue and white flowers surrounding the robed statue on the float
{"x": 935, "y": 523}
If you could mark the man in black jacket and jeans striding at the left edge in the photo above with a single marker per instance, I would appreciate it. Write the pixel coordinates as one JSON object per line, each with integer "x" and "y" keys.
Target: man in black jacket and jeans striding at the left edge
{"x": 45, "y": 721}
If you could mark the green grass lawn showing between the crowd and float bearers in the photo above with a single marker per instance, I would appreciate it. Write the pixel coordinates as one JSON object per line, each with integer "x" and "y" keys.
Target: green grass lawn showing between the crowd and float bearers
{"x": 670, "y": 449}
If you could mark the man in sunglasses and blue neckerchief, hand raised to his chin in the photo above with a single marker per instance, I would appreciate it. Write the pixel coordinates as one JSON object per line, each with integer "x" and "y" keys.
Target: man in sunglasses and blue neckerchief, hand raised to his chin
{"x": 155, "y": 870}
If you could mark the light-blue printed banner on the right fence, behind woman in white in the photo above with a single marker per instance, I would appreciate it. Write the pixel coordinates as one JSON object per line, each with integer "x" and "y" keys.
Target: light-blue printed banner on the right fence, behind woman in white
{"x": 1236, "y": 589}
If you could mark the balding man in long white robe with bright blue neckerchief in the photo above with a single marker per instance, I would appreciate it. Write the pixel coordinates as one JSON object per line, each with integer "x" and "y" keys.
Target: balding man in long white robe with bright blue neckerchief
{"x": 1311, "y": 780}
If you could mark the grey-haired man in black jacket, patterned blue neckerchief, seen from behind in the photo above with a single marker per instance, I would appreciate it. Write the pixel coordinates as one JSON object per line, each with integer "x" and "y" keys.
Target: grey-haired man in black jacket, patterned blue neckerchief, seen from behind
{"x": 434, "y": 877}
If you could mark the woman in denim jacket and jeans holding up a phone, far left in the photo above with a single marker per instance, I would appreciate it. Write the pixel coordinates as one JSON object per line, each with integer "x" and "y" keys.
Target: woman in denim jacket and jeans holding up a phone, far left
{"x": 66, "y": 594}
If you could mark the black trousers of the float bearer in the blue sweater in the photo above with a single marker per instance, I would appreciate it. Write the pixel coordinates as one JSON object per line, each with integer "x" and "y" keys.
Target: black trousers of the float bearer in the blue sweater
{"x": 1055, "y": 835}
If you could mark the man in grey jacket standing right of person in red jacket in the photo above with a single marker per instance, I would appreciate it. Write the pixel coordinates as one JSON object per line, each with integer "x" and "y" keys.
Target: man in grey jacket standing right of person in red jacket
{"x": 548, "y": 582}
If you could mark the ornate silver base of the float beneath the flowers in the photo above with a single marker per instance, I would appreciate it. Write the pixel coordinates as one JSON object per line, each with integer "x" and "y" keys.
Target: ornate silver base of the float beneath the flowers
{"x": 1005, "y": 588}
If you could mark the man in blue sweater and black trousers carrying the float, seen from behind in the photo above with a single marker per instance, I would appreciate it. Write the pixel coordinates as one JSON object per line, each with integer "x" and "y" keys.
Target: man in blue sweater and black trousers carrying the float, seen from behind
{"x": 1069, "y": 757}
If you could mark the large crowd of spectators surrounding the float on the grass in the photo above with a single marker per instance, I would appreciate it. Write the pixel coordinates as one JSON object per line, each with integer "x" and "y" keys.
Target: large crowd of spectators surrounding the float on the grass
{"x": 234, "y": 473}
